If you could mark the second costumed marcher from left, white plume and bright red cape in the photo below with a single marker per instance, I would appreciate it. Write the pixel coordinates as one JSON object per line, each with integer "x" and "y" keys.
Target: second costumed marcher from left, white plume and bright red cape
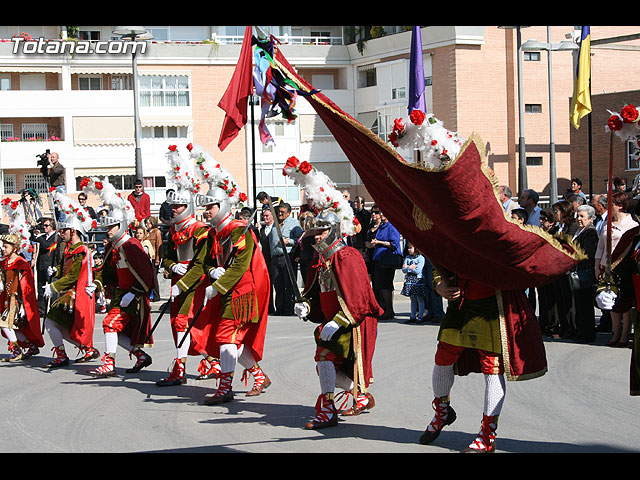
{"x": 71, "y": 316}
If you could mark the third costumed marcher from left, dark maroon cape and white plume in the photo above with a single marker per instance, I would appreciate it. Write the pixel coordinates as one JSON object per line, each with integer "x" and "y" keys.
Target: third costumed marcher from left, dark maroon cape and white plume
{"x": 128, "y": 268}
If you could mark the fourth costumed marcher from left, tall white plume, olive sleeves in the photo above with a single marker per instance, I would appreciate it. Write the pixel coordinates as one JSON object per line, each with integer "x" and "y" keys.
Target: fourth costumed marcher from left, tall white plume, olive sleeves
{"x": 182, "y": 263}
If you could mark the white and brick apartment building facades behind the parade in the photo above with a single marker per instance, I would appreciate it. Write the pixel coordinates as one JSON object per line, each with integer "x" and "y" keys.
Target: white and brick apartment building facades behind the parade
{"x": 81, "y": 105}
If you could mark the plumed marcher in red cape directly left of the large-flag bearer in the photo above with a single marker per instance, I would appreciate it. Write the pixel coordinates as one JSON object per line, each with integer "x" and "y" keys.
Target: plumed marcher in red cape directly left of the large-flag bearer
{"x": 336, "y": 297}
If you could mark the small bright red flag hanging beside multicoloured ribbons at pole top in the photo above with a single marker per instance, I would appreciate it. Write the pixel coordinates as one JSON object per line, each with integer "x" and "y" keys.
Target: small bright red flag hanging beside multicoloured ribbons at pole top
{"x": 235, "y": 98}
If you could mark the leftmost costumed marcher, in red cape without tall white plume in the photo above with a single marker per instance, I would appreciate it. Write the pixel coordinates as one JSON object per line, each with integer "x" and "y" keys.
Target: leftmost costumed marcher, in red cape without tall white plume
{"x": 20, "y": 318}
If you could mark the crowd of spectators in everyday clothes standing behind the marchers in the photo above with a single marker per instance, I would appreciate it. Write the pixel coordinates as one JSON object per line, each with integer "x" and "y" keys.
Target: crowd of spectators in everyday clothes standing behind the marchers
{"x": 565, "y": 308}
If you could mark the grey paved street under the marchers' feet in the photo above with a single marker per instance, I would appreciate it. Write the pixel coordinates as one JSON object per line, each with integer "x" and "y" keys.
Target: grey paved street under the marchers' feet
{"x": 581, "y": 405}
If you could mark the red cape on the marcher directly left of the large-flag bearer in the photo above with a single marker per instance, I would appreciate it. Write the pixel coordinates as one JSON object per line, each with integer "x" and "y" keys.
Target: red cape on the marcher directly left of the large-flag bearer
{"x": 352, "y": 278}
